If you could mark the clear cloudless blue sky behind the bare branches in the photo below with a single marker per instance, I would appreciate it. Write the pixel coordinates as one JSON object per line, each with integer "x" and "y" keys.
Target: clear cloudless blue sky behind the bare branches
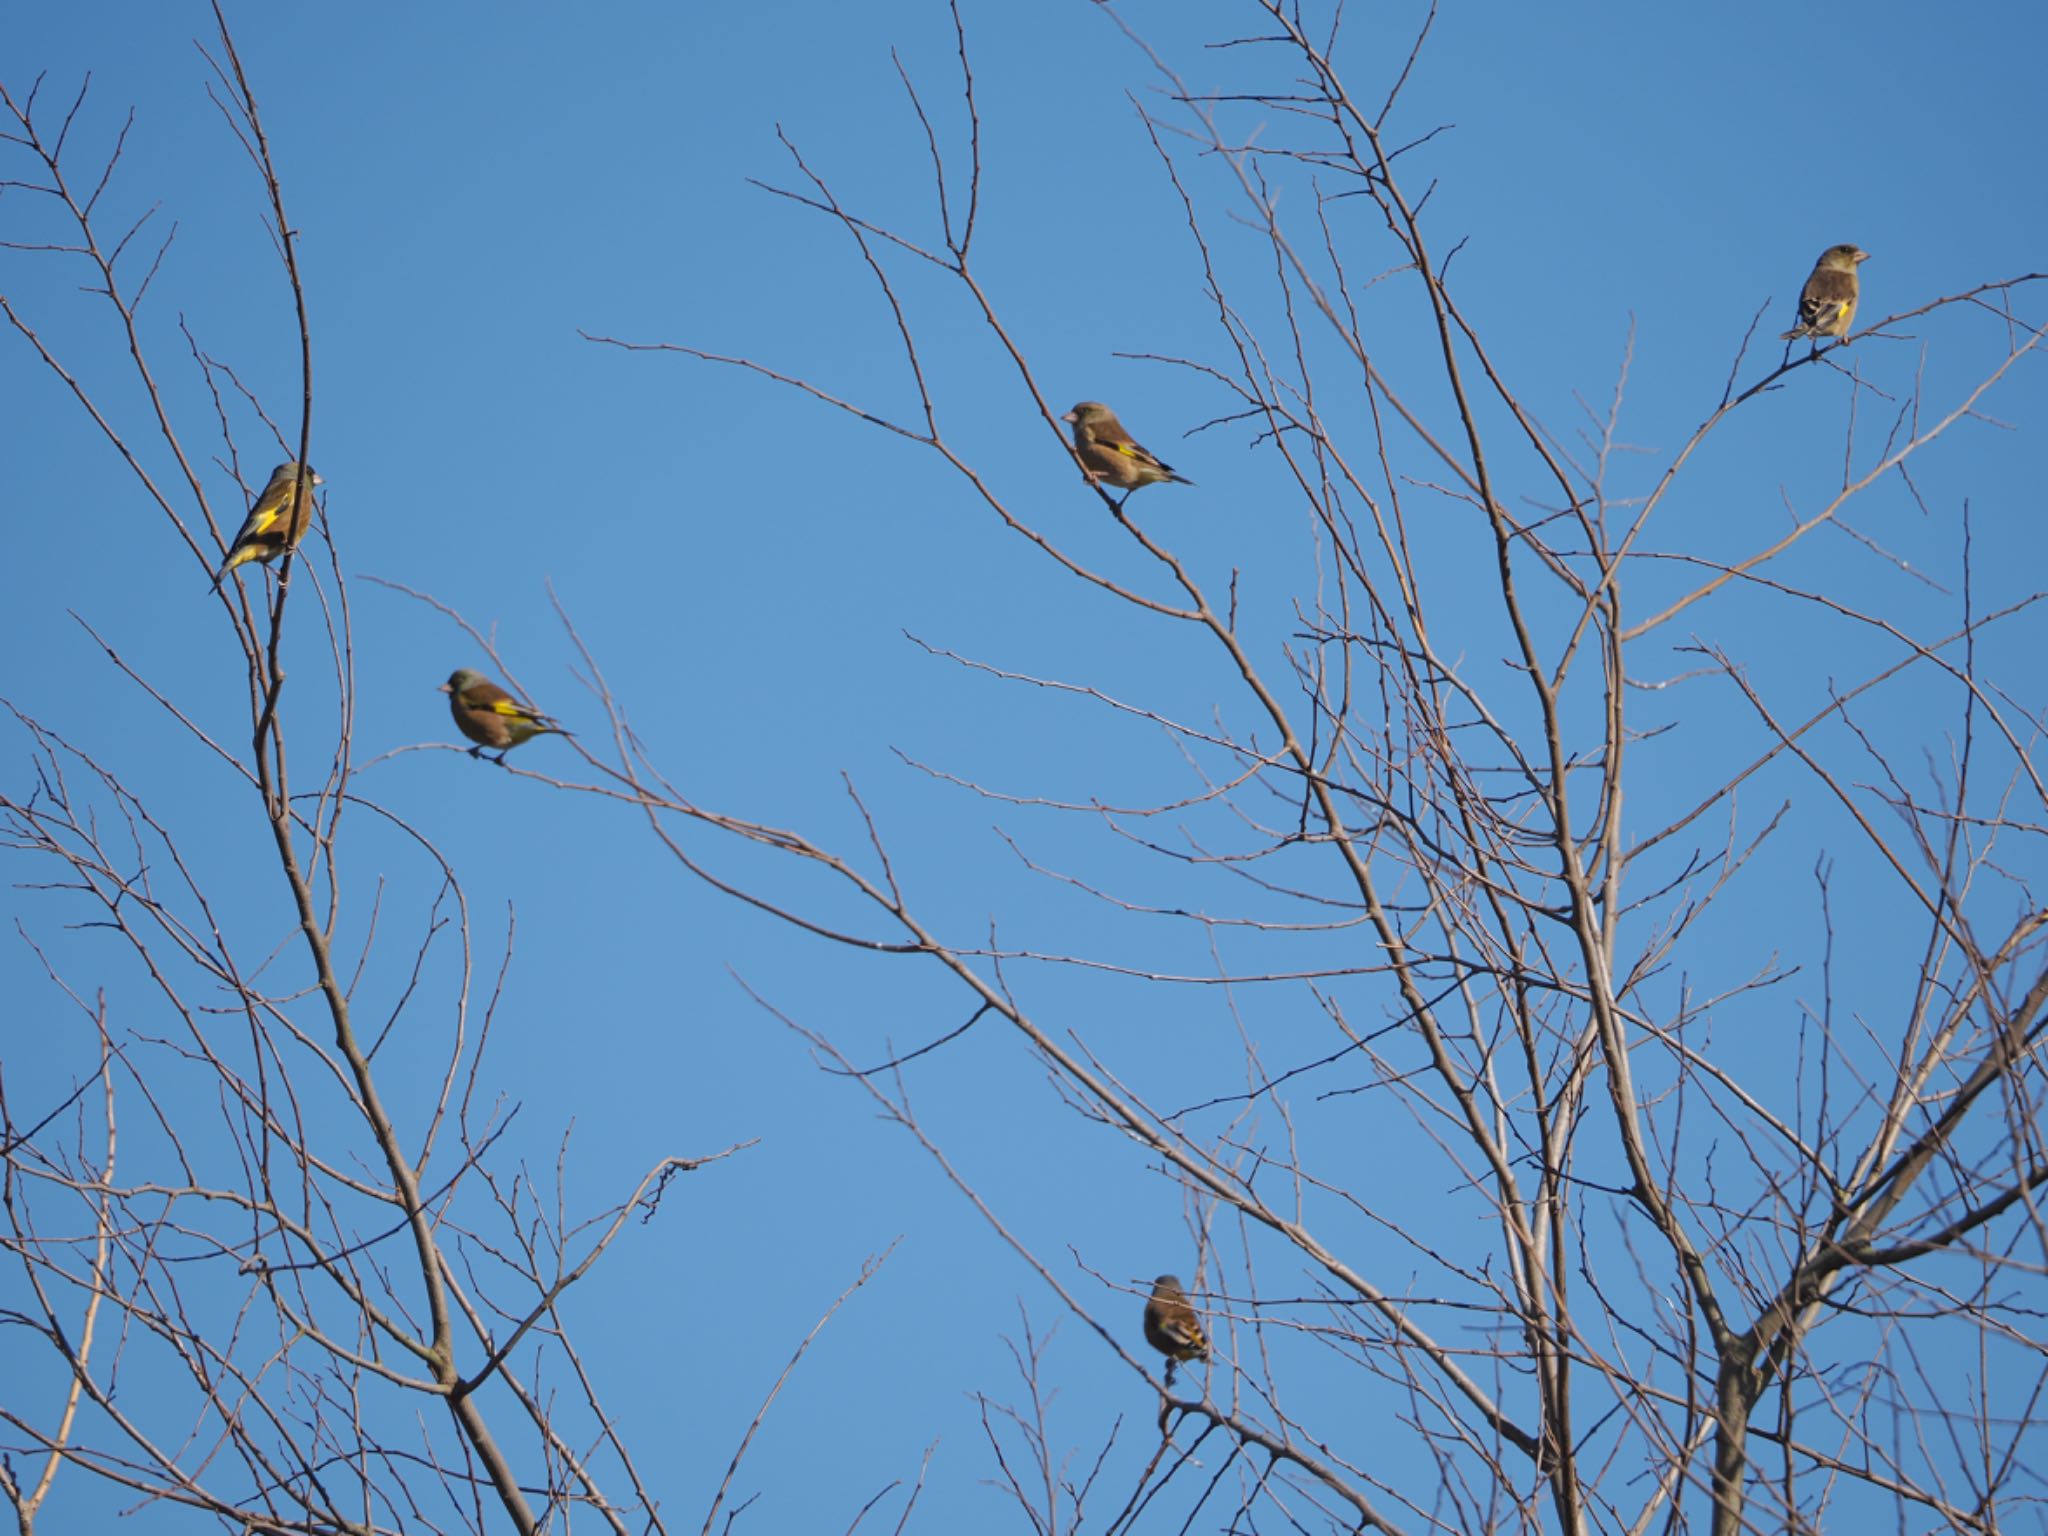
{"x": 480, "y": 185}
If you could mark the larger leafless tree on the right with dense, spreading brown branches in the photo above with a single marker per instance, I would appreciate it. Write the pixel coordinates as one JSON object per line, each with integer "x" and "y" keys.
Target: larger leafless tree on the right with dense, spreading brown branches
{"x": 1687, "y": 1283}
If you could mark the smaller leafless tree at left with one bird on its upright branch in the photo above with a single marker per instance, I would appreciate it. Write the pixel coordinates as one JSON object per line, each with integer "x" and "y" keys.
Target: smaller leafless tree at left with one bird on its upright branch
{"x": 341, "y": 1304}
